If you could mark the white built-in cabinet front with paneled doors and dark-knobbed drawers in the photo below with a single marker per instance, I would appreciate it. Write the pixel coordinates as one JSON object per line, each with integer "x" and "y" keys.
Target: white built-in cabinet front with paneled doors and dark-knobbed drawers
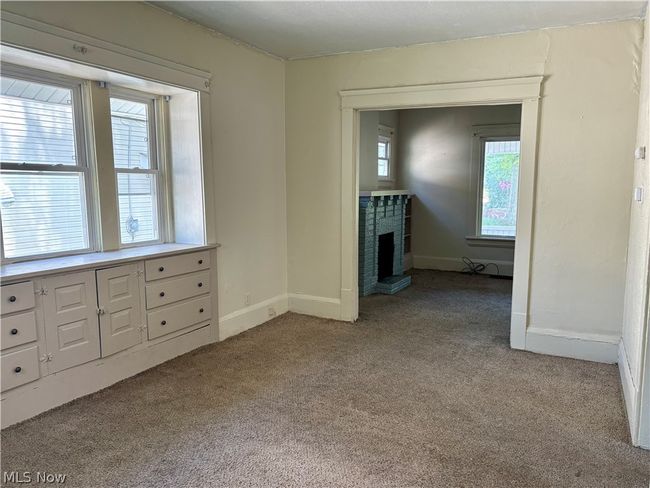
{"x": 58, "y": 321}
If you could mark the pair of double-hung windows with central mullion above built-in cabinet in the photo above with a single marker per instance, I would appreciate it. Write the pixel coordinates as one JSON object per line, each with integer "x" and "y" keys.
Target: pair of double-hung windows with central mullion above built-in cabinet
{"x": 52, "y": 172}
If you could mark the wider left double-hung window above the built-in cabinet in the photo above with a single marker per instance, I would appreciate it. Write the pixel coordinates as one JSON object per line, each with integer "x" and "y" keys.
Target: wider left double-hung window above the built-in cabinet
{"x": 45, "y": 201}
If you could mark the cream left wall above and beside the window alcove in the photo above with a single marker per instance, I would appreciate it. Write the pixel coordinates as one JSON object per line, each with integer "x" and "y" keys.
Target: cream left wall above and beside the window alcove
{"x": 247, "y": 120}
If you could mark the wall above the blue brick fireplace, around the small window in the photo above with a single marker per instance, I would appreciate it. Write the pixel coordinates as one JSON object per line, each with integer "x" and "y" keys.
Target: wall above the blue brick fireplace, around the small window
{"x": 369, "y": 124}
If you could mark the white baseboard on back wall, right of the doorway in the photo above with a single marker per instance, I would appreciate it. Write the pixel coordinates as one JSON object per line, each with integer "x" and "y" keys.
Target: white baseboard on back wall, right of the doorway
{"x": 601, "y": 348}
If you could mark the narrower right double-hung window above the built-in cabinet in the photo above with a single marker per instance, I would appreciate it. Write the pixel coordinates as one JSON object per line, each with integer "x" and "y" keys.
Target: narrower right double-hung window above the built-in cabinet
{"x": 135, "y": 157}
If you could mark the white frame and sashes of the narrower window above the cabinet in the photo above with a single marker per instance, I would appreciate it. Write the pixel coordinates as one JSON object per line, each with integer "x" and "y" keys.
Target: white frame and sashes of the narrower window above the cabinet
{"x": 157, "y": 141}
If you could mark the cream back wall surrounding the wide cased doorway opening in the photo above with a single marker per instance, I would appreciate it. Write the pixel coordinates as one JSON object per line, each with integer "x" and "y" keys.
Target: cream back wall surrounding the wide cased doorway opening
{"x": 586, "y": 133}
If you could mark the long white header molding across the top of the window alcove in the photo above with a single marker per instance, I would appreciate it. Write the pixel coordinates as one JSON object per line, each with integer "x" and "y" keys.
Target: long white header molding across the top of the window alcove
{"x": 40, "y": 37}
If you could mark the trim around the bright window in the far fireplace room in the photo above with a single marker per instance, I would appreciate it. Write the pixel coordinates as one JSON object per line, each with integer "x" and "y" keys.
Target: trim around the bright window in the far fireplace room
{"x": 481, "y": 134}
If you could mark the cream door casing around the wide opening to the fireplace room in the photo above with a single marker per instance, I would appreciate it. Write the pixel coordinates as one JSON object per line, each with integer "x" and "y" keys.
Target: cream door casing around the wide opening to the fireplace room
{"x": 524, "y": 91}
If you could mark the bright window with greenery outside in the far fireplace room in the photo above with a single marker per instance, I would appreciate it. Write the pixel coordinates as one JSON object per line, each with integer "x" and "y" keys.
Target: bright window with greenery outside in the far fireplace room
{"x": 498, "y": 185}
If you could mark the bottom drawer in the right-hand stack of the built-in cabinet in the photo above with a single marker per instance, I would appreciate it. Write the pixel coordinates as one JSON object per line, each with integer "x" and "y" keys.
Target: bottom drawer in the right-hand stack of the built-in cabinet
{"x": 176, "y": 317}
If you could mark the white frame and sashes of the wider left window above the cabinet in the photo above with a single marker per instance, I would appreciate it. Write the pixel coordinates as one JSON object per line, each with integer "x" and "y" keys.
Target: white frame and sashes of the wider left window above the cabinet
{"x": 81, "y": 154}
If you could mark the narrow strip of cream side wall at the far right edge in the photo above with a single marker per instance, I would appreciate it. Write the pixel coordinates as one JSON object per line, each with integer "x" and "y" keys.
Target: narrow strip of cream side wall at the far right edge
{"x": 635, "y": 318}
